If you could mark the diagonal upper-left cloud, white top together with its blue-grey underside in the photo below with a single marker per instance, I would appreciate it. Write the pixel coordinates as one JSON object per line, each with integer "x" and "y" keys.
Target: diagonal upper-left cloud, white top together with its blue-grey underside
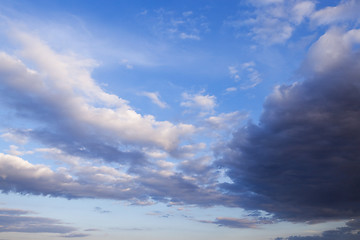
{"x": 75, "y": 113}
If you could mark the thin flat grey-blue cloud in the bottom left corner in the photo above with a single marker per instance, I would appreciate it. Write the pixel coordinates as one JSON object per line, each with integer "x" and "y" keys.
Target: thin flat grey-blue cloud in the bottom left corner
{"x": 13, "y": 220}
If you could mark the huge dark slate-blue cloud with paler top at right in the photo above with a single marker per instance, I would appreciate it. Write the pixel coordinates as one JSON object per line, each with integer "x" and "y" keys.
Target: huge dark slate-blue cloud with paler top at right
{"x": 301, "y": 161}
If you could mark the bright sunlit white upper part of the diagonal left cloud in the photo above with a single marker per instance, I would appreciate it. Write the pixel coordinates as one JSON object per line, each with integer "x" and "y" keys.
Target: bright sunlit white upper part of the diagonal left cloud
{"x": 63, "y": 83}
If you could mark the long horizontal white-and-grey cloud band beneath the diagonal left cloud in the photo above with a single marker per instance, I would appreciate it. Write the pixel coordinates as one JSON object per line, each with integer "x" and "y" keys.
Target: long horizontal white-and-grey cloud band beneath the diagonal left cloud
{"x": 142, "y": 185}
